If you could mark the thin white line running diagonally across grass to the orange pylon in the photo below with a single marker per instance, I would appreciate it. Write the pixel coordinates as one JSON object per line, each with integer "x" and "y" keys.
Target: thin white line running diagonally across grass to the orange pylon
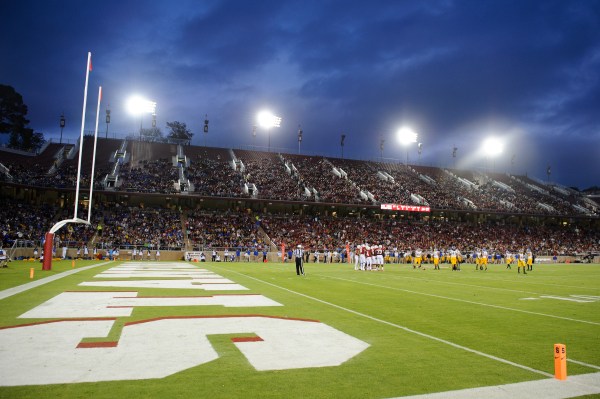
{"x": 464, "y": 348}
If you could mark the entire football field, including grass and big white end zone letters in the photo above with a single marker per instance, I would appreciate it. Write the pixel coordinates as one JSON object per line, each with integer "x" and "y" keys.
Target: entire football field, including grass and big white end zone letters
{"x": 257, "y": 330}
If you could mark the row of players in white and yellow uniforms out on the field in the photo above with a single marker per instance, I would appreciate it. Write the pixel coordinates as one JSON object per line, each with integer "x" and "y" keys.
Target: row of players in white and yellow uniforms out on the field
{"x": 368, "y": 257}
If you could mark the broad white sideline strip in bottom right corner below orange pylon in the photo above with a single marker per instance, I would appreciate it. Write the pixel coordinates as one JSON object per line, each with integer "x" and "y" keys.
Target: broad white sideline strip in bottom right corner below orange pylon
{"x": 578, "y": 385}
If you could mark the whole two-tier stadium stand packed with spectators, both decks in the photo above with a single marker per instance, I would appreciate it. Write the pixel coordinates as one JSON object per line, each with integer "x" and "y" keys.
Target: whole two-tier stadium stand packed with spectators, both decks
{"x": 173, "y": 197}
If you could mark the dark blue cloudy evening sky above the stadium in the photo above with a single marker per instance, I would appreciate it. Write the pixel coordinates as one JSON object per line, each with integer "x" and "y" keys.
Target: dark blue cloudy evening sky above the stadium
{"x": 455, "y": 71}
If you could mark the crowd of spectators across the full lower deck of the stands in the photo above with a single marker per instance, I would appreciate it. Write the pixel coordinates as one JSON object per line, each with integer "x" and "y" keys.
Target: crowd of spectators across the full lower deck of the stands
{"x": 127, "y": 227}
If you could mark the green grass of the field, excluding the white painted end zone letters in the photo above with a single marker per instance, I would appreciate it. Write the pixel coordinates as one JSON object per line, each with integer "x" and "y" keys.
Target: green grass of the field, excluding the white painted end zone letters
{"x": 428, "y": 330}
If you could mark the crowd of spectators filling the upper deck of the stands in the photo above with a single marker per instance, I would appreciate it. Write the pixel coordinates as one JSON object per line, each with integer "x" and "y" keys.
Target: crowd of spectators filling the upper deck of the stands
{"x": 313, "y": 179}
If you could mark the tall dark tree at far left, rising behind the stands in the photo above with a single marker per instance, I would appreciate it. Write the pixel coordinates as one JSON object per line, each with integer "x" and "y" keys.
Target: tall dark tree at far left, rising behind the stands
{"x": 13, "y": 121}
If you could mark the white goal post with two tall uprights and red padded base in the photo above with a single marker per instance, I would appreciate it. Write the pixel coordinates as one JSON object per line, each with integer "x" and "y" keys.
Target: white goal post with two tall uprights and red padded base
{"x": 49, "y": 237}
